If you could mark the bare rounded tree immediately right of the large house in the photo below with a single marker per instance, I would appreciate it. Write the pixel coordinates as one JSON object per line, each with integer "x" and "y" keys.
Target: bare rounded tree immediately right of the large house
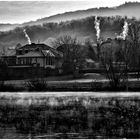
{"x": 73, "y": 58}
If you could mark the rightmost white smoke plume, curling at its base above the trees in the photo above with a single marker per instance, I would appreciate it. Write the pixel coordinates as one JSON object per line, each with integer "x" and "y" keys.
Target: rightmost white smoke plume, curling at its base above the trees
{"x": 124, "y": 33}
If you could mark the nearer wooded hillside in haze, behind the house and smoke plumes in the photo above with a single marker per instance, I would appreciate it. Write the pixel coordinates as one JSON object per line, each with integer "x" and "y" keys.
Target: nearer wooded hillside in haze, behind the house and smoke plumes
{"x": 83, "y": 29}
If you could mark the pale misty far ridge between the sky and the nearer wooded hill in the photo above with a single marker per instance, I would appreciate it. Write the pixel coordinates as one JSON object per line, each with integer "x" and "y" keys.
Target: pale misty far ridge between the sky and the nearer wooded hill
{"x": 130, "y": 9}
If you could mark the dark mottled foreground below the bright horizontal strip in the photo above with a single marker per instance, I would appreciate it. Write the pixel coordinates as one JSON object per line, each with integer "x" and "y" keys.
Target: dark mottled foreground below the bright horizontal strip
{"x": 69, "y": 117}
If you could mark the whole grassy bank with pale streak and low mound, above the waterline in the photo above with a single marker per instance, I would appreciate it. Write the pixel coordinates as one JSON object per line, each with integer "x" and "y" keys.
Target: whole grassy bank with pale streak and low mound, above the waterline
{"x": 85, "y": 82}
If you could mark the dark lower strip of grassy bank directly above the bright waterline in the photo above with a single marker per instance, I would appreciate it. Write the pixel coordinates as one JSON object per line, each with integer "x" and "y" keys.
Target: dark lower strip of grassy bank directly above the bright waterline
{"x": 74, "y": 85}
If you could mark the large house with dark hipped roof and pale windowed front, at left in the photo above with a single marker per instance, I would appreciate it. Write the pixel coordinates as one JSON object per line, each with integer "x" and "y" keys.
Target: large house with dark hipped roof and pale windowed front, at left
{"x": 36, "y": 55}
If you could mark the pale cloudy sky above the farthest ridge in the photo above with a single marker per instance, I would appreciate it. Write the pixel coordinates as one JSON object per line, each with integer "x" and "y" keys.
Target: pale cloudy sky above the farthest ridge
{"x": 24, "y": 11}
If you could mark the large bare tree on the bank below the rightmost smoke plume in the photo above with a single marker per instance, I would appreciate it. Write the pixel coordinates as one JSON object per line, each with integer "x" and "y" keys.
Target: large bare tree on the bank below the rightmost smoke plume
{"x": 116, "y": 68}
